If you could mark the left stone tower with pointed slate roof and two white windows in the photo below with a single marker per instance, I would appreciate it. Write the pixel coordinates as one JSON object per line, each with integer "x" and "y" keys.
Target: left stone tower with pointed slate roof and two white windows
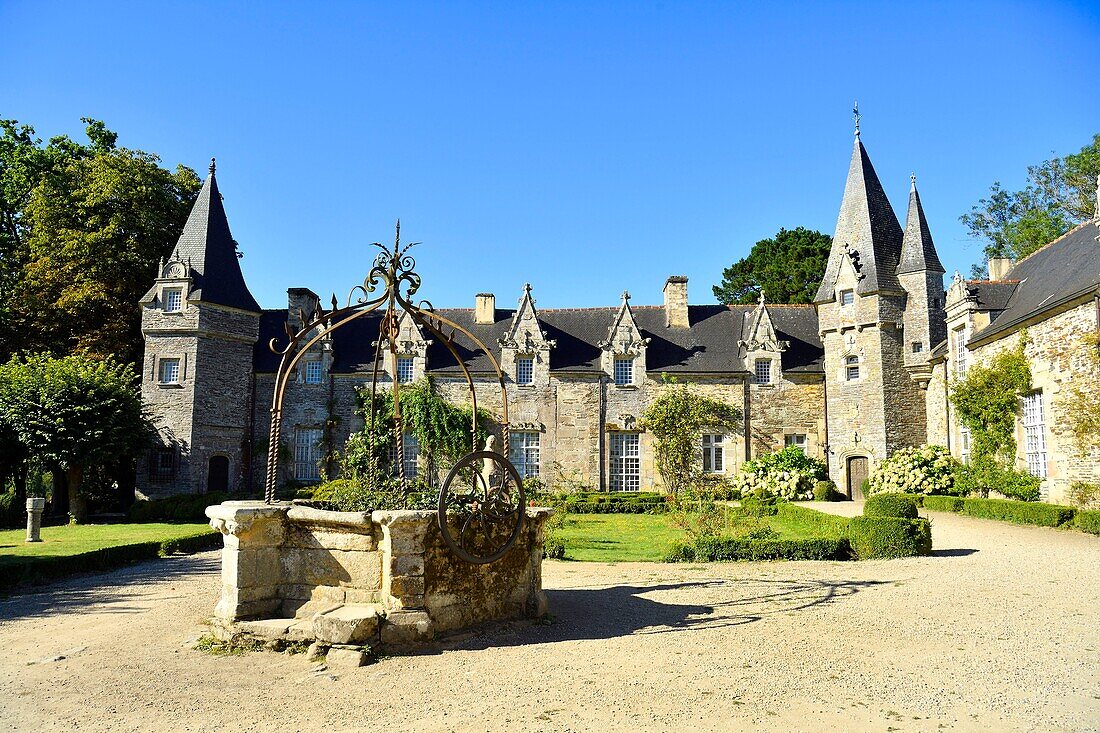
{"x": 201, "y": 323}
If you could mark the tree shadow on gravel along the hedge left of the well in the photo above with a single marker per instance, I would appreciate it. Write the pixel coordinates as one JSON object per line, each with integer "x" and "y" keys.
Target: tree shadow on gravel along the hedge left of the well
{"x": 108, "y": 590}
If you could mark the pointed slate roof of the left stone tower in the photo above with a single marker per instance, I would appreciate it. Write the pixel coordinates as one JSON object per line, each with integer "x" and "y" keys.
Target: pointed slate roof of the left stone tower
{"x": 207, "y": 243}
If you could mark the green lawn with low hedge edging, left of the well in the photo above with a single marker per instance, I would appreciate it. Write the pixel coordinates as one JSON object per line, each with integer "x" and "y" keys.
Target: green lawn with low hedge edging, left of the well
{"x": 78, "y": 549}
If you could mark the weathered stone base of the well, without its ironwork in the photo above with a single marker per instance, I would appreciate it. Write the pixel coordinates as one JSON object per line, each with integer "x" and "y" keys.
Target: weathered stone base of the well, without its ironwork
{"x": 350, "y": 579}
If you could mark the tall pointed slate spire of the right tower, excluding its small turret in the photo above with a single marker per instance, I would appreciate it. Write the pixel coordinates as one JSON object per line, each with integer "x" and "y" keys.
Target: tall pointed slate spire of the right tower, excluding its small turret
{"x": 868, "y": 226}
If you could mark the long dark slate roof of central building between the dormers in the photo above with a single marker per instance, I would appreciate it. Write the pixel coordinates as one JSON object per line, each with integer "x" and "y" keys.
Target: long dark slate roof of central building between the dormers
{"x": 710, "y": 346}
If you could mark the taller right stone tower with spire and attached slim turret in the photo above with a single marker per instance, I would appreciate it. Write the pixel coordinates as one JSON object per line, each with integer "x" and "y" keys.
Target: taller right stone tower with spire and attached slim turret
{"x": 866, "y": 311}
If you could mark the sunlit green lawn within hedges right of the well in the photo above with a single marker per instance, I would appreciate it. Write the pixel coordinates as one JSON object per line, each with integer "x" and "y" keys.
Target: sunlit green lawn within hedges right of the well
{"x": 646, "y": 538}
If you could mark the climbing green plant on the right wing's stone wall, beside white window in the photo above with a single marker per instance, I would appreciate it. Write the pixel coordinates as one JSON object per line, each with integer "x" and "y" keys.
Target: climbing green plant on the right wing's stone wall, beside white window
{"x": 987, "y": 401}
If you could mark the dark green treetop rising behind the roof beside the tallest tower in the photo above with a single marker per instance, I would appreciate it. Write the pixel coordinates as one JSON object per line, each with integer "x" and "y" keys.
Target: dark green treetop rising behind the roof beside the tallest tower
{"x": 788, "y": 268}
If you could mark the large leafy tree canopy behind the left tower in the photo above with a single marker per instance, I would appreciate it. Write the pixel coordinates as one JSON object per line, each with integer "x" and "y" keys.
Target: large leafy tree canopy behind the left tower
{"x": 82, "y": 229}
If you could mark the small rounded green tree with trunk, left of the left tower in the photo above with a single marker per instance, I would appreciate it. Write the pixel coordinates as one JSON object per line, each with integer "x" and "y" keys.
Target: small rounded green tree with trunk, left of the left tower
{"x": 74, "y": 415}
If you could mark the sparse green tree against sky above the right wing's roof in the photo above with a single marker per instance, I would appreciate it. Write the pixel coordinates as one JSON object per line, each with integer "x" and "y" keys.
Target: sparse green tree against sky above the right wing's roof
{"x": 1060, "y": 194}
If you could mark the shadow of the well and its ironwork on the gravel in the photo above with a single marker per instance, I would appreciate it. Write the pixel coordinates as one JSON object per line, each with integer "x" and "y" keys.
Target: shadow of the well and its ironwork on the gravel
{"x": 601, "y": 614}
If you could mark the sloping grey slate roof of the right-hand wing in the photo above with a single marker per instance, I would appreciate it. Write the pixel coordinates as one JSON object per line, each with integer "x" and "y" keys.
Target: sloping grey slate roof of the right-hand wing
{"x": 1064, "y": 270}
